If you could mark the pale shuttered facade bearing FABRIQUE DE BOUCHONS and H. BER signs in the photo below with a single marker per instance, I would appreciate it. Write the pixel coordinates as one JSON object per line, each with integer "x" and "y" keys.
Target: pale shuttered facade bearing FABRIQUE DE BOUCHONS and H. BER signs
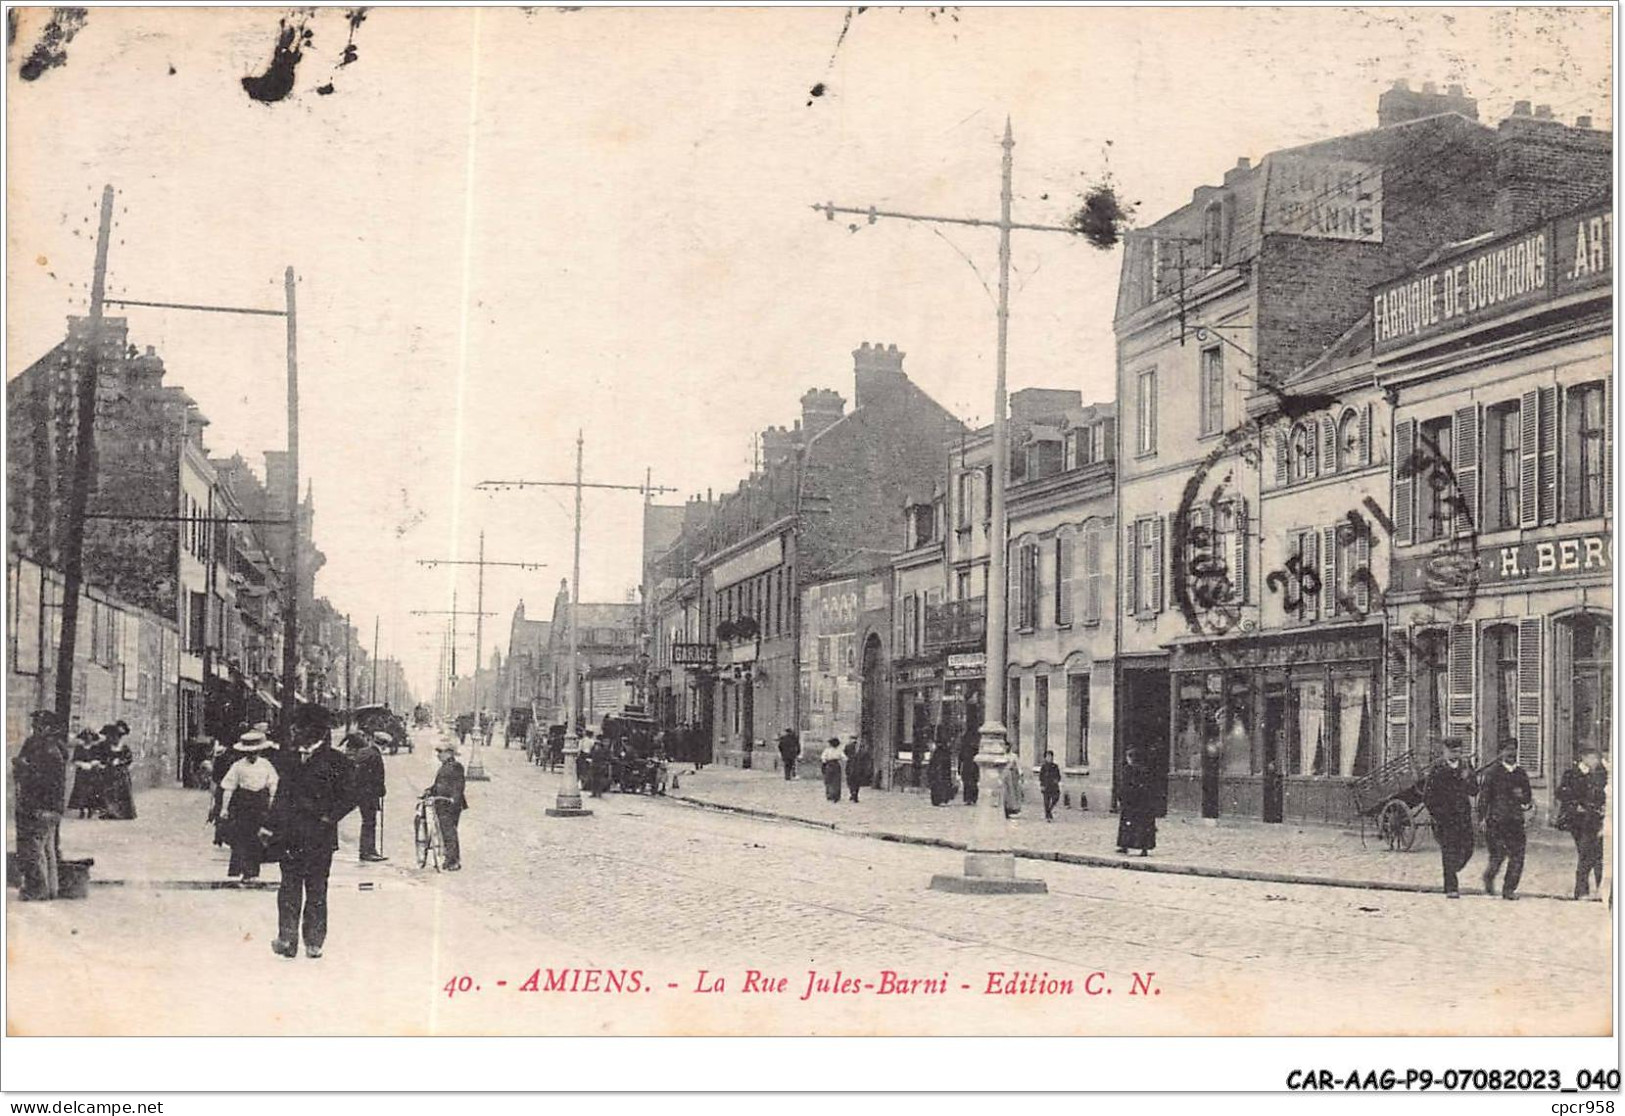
{"x": 1501, "y": 363}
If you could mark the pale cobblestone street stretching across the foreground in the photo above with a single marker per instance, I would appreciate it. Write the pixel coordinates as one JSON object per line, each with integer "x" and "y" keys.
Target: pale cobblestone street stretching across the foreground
{"x": 672, "y": 889}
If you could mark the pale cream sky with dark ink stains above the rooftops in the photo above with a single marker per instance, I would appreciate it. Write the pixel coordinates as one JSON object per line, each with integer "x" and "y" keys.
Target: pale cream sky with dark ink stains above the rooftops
{"x": 514, "y": 225}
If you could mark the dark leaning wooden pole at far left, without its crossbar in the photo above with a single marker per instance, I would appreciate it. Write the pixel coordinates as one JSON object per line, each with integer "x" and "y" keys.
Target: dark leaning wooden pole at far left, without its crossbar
{"x": 84, "y": 467}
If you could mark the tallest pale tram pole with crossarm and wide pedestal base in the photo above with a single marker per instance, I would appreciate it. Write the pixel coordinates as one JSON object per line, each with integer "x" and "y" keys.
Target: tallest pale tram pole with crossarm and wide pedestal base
{"x": 990, "y": 862}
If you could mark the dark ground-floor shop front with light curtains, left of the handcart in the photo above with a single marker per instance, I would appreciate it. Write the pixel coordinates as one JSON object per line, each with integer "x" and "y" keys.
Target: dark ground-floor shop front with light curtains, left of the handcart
{"x": 1275, "y": 729}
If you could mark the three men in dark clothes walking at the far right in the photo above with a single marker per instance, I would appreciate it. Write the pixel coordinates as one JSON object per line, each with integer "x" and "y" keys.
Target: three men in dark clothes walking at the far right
{"x": 1504, "y": 805}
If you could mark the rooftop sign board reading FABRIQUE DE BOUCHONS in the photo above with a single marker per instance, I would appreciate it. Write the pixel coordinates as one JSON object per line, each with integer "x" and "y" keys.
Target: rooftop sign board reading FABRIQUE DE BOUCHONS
{"x": 1494, "y": 279}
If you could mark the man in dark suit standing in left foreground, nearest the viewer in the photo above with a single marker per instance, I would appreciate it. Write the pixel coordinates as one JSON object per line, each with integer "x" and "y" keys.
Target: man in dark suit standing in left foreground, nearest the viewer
{"x": 316, "y": 792}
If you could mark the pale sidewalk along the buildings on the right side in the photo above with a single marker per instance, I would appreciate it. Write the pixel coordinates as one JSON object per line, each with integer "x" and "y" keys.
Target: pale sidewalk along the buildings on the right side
{"x": 1234, "y": 849}
